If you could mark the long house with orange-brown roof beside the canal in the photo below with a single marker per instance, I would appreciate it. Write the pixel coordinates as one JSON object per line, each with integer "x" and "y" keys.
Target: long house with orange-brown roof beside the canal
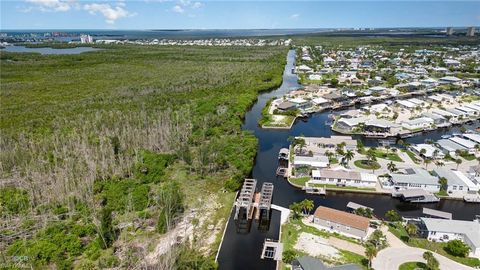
{"x": 341, "y": 222}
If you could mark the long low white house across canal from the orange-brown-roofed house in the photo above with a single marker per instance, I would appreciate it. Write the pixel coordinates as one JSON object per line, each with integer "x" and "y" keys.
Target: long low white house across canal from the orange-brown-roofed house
{"x": 343, "y": 177}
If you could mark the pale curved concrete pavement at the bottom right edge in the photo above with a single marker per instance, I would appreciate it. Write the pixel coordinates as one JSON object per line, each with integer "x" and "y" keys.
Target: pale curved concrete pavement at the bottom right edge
{"x": 391, "y": 258}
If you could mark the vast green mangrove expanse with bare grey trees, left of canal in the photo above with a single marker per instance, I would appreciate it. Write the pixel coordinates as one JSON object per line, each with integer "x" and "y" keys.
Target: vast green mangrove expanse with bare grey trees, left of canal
{"x": 110, "y": 147}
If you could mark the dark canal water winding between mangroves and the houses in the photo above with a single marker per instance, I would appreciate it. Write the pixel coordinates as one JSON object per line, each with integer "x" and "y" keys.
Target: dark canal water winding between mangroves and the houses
{"x": 242, "y": 251}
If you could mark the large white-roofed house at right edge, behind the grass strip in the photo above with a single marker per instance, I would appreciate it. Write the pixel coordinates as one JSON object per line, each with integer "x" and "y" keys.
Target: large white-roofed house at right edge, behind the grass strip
{"x": 444, "y": 230}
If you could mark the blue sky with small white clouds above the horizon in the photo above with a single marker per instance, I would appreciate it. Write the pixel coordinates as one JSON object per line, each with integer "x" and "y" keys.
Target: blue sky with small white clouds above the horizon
{"x": 192, "y": 14}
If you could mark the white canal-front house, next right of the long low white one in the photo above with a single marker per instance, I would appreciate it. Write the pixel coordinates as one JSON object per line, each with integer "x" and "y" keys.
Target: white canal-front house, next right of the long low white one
{"x": 414, "y": 178}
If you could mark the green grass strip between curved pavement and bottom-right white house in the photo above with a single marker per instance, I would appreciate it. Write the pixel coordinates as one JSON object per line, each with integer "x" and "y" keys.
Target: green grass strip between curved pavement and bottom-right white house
{"x": 437, "y": 247}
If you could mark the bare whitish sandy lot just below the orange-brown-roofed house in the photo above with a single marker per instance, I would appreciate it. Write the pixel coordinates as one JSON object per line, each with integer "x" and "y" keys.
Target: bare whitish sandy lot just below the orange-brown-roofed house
{"x": 316, "y": 246}
